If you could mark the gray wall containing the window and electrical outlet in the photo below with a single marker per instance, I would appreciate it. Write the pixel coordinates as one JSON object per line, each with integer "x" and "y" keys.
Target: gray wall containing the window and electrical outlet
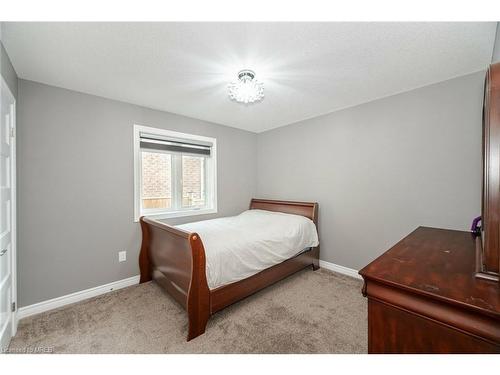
{"x": 75, "y": 186}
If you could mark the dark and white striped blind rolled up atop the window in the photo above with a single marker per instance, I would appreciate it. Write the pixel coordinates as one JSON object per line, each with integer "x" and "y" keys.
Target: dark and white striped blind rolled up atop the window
{"x": 185, "y": 146}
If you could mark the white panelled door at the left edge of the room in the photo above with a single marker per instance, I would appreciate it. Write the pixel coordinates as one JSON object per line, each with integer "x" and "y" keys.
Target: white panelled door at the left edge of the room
{"x": 7, "y": 212}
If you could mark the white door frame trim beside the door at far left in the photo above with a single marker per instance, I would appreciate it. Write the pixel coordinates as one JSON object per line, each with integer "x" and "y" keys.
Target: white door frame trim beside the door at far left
{"x": 13, "y": 171}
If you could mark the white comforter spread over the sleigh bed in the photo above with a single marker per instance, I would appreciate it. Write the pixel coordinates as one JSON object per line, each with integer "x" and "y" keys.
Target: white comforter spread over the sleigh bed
{"x": 240, "y": 246}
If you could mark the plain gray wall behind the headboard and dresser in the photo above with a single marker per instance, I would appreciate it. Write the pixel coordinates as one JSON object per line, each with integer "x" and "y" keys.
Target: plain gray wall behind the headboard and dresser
{"x": 381, "y": 169}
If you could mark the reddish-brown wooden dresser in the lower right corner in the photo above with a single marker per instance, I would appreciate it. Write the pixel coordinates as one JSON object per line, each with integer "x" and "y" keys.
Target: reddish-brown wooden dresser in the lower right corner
{"x": 424, "y": 297}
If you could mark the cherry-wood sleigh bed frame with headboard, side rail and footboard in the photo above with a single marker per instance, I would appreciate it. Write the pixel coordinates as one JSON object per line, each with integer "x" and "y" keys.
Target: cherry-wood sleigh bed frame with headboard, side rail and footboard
{"x": 175, "y": 259}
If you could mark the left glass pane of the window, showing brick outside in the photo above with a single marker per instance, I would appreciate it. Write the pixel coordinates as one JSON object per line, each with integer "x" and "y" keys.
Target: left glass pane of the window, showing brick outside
{"x": 156, "y": 180}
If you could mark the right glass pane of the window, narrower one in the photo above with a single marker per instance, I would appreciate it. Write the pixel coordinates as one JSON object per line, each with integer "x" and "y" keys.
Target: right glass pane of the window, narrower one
{"x": 193, "y": 181}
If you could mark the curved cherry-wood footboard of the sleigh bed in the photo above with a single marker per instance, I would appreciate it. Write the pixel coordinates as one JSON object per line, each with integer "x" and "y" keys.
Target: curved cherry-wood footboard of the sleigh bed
{"x": 175, "y": 259}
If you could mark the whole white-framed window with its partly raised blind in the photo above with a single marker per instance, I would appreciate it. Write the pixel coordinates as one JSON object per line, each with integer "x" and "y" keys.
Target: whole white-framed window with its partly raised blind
{"x": 175, "y": 173}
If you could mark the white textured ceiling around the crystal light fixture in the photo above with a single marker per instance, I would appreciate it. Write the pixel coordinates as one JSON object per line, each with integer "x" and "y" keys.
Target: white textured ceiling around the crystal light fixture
{"x": 308, "y": 68}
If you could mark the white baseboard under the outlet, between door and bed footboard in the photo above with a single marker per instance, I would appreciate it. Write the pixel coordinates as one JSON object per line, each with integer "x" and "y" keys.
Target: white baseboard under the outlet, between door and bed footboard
{"x": 54, "y": 303}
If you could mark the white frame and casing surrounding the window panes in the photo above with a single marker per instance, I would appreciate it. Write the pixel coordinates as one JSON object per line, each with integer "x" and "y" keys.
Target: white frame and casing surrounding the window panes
{"x": 211, "y": 170}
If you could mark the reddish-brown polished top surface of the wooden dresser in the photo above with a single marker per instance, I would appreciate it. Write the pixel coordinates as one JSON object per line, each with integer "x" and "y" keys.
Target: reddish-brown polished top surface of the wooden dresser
{"x": 438, "y": 263}
